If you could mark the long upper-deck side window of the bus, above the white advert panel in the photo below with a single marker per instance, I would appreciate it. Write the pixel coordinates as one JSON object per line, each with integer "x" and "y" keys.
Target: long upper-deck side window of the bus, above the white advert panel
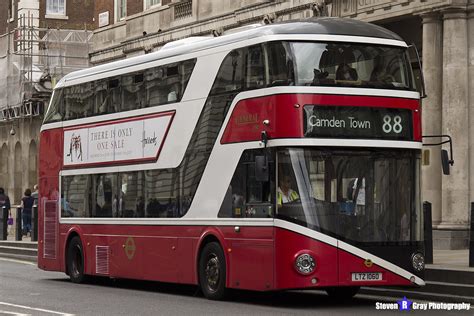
{"x": 151, "y": 87}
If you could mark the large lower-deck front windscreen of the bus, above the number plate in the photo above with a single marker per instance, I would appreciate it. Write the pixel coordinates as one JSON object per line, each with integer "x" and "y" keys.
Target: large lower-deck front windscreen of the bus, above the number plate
{"x": 359, "y": 196}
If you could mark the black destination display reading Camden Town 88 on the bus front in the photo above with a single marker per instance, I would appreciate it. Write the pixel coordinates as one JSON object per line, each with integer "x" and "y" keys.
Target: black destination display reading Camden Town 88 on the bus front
{"x": 357, "y": 122}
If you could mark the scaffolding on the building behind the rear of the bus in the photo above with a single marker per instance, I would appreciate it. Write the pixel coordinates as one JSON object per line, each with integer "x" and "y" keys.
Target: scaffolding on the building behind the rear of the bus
{"x": 34, "y": 59}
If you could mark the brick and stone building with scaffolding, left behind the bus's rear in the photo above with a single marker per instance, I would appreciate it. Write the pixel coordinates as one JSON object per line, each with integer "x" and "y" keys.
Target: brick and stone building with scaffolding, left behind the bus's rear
{"x": 40, "y": 41}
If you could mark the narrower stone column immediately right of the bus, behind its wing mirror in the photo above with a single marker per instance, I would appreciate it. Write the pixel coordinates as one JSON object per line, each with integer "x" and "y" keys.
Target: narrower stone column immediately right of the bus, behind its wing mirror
{"x": 432, "y": 52}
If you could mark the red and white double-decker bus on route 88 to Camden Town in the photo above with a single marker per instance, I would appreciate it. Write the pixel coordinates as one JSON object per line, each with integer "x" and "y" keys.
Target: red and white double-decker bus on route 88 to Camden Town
{"x": 284, "y": 156}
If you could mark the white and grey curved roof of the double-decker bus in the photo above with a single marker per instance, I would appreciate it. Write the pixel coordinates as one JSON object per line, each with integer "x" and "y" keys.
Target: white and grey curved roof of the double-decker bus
{"x": 324, "y": 26}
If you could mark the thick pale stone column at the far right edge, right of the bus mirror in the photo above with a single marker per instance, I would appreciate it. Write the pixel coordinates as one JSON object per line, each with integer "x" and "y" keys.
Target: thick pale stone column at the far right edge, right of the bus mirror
{"x": 455, "y": 122}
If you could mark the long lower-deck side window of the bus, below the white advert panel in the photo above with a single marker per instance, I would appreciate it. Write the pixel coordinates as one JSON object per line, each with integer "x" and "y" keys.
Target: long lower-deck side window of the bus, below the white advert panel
{"x": 151, "y": 193}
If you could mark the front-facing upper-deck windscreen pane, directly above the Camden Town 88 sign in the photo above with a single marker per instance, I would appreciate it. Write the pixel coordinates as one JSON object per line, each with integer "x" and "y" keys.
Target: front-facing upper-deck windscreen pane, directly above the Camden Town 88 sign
{"x": 351, "y": 65}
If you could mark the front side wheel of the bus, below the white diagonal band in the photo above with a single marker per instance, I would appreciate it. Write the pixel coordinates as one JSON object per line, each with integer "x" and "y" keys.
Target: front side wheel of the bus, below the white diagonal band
{"x": 212, "y": 271}
